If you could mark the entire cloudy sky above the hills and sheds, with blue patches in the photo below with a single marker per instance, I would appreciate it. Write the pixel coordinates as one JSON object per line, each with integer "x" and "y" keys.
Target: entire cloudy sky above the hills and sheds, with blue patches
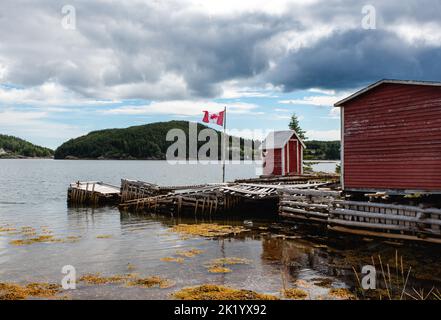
{"x": 123, "y": 63}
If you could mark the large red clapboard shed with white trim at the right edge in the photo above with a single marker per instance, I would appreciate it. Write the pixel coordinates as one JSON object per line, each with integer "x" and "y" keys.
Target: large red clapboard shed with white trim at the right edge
{"x": 391, "y": 138}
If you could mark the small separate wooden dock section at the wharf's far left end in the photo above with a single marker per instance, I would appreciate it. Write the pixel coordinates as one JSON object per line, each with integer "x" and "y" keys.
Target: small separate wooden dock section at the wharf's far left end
{"x": 92, "y": 192}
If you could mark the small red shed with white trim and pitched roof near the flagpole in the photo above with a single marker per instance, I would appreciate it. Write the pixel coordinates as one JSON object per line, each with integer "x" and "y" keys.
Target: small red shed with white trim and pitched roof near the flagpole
{"x": 283, "y": 153}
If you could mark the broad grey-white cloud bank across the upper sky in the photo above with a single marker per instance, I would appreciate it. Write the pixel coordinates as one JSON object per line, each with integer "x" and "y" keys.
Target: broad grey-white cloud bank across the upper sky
{"x": 171, "y": 50}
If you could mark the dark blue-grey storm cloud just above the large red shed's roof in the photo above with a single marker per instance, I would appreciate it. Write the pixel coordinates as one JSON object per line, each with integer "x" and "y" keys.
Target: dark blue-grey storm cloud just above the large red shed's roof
{"x": 354, "y": 58}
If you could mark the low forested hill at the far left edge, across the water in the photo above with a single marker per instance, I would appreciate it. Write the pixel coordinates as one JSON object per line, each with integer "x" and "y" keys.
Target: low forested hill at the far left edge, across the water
{"x": 13, "y": 147}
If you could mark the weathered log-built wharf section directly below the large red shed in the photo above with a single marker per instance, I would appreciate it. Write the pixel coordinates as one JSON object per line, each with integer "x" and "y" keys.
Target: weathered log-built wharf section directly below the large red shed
{"x": 363, "y": 218}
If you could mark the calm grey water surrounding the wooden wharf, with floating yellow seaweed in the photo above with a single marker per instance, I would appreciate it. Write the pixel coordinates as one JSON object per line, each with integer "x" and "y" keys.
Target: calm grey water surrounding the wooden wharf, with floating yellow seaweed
{"x": 33, "y": 194}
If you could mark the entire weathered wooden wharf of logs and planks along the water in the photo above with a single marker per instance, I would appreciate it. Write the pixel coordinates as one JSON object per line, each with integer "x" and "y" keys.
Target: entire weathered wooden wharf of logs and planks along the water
{"x": 311, "y": 200}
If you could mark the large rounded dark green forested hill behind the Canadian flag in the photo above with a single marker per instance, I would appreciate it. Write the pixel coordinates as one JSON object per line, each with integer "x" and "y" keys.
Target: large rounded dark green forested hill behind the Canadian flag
{"x": 138, "y": 142}
